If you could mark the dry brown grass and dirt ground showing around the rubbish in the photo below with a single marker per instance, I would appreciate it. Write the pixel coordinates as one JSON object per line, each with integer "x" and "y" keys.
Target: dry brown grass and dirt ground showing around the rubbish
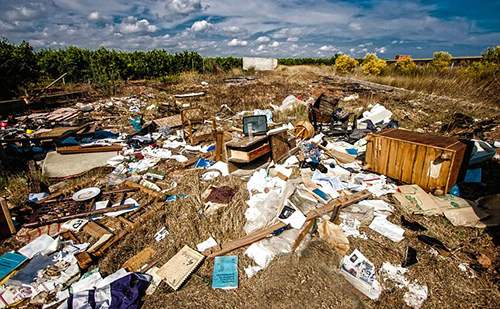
{"x": 311, "y": 278}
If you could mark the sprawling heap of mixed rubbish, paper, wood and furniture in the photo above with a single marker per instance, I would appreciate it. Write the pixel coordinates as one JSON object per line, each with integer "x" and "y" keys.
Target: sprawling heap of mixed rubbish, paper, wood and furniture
{"x": 313, "y": 180}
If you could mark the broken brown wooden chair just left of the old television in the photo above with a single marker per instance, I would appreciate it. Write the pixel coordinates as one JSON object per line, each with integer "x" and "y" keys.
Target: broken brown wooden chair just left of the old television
{"x": 196, "y": 126}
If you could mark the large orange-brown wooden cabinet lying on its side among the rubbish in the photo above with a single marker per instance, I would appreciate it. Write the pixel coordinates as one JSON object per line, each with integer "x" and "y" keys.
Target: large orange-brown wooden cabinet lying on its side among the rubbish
{"x": 432, "y": 162}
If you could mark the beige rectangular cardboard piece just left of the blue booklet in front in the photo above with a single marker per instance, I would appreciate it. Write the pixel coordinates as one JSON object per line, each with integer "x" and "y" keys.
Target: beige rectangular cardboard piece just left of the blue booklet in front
{"x": 178, "y": 269}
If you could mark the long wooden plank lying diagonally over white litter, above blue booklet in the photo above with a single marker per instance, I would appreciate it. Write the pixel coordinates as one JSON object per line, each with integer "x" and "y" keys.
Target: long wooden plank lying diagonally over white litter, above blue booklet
{"x": 263, "y": 233}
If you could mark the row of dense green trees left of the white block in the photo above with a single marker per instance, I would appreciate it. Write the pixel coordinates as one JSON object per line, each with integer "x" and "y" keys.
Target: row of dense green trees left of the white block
{"x": 21, "y": 66}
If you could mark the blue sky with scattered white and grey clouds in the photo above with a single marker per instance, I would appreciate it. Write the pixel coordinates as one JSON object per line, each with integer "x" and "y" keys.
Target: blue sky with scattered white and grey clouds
{"x": 266, "y": 28}
